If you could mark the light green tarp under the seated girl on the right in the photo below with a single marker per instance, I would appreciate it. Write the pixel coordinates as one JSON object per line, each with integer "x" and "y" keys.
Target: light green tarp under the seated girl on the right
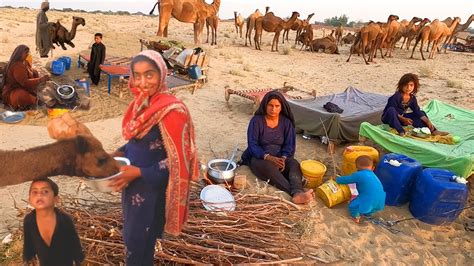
{"x": 458, "y": 158}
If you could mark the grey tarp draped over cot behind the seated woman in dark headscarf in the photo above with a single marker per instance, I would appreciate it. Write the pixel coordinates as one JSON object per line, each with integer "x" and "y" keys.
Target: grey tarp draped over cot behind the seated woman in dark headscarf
{"x": 357, "y": 107}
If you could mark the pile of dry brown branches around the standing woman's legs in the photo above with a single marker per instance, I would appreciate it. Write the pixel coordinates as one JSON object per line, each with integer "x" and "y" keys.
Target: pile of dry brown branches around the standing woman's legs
{"x": 262, "y": 228}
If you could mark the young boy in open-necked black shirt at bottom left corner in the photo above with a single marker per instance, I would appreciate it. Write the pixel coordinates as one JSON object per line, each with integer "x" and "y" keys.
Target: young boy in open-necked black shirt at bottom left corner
{"x": 49, "y": 233}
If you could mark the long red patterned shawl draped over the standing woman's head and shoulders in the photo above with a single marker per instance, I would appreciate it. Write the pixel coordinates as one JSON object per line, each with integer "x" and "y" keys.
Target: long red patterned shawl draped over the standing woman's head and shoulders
{"x": 177, "y": 131}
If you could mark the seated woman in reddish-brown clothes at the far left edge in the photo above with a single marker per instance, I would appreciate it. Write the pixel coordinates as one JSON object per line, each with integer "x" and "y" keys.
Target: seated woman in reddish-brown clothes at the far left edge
{"x": 20, "y": 85}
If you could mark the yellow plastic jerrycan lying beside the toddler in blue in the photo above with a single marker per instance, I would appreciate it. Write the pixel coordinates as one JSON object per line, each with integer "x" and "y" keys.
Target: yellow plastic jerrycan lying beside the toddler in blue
{"x": 332, "y": 193}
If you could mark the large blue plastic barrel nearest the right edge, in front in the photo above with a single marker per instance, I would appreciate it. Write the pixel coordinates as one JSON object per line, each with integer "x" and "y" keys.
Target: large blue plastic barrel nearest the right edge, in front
{"x": 436, "y": 199}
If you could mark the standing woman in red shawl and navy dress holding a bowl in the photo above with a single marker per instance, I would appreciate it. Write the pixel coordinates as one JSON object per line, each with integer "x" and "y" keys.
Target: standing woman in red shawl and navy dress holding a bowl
{"x": 162, "y": 152}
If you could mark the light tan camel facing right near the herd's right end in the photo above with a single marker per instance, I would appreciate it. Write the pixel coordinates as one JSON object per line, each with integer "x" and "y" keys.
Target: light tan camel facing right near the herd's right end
{"x": 434, "y": 32}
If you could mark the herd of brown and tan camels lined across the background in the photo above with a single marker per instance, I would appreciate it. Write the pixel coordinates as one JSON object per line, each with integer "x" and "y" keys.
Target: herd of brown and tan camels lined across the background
{"x": 370, "y": 38}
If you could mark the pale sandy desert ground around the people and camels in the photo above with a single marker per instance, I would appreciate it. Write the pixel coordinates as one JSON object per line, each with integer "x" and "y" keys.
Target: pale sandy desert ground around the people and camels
{"x": 219, "y": 126}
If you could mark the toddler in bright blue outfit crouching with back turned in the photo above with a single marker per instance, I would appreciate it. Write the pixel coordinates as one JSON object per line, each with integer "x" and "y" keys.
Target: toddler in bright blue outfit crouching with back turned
{"x": 371, "y": 197}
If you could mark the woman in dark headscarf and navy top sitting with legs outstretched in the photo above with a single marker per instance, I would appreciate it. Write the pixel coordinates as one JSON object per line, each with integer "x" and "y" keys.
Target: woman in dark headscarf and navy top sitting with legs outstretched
{"x": 271, "y": 146}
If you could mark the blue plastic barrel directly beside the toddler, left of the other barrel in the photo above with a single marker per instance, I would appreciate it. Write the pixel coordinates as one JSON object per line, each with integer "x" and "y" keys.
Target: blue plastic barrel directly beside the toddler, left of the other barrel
{"x": 397, "y": 181}
